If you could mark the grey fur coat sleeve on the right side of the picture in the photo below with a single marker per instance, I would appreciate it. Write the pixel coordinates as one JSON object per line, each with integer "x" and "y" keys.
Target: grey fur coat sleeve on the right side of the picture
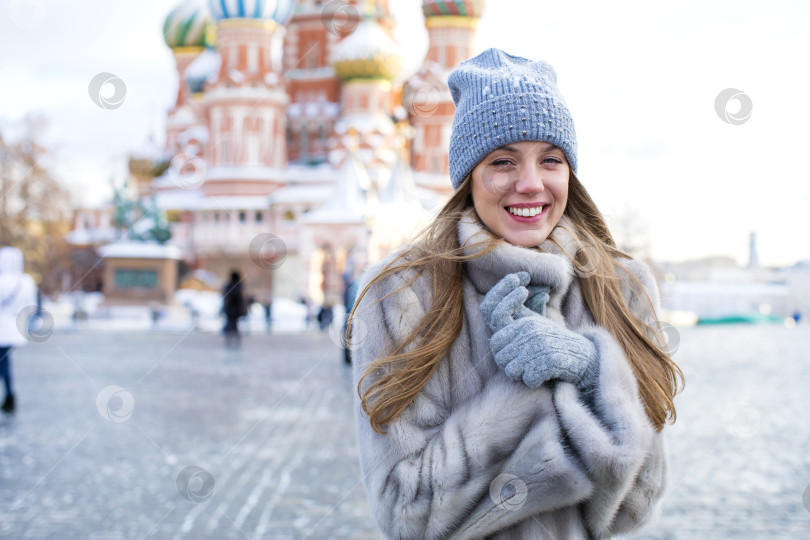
{"x": 622, "y": 452}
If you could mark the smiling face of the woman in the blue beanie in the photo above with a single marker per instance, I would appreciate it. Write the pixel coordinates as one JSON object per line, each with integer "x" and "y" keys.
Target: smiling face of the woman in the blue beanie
{"x": 520, "y": 191}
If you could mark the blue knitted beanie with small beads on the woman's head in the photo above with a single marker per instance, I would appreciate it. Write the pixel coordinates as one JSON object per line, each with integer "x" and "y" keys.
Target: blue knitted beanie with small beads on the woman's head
{"x": 501, "y": 99}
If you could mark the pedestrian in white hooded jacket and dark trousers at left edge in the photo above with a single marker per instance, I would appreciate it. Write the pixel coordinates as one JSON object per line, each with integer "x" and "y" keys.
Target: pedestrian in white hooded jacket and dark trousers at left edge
{"x": 17, "y": 292}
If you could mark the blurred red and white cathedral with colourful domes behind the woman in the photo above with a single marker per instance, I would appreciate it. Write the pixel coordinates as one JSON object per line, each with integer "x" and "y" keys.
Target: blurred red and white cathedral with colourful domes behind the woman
{"x": 297, "y": 150}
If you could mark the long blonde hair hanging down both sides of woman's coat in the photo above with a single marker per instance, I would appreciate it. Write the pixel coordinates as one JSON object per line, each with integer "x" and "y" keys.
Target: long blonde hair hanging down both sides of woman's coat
{"x": 436, "y": 251}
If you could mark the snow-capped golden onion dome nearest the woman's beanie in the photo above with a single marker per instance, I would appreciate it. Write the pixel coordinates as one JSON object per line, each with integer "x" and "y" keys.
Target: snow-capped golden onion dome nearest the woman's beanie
{"x": 368, "y": 53}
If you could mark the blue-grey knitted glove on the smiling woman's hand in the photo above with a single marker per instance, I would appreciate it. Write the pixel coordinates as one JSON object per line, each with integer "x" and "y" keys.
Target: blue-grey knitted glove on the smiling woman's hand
{"x": 530, "y": 347}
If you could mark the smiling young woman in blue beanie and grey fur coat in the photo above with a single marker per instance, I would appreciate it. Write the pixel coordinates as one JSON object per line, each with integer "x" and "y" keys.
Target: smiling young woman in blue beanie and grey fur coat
{"x": 510, "y": 383}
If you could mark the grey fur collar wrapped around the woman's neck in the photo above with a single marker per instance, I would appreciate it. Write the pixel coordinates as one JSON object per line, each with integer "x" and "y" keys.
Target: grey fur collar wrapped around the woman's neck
{"x": 547, "y": 264}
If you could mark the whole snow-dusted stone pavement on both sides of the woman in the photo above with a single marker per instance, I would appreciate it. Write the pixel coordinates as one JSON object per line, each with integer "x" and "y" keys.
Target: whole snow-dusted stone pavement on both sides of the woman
{"x": 138, "y": 435}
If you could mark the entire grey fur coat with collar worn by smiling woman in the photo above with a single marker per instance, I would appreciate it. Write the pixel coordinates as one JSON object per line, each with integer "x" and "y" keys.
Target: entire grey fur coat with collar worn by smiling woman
{"x": 478, "y": 455}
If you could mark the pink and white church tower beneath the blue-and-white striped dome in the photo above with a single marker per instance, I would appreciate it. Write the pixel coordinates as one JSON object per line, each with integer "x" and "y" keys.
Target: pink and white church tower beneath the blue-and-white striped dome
{"x": 246, "y": 107}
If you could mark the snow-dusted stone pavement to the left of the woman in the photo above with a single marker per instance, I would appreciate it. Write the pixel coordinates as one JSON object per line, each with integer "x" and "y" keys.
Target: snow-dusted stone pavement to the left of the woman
{"x": 107, "y": 423}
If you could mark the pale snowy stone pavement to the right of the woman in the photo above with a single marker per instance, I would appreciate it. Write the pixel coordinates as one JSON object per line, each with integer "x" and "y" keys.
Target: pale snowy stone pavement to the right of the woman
{"x": 740, "y": 449}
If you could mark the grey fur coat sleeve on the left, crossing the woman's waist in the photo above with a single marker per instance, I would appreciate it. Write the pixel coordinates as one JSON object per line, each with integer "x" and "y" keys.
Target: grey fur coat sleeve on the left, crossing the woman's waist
{"x": 431, "y": 475}
